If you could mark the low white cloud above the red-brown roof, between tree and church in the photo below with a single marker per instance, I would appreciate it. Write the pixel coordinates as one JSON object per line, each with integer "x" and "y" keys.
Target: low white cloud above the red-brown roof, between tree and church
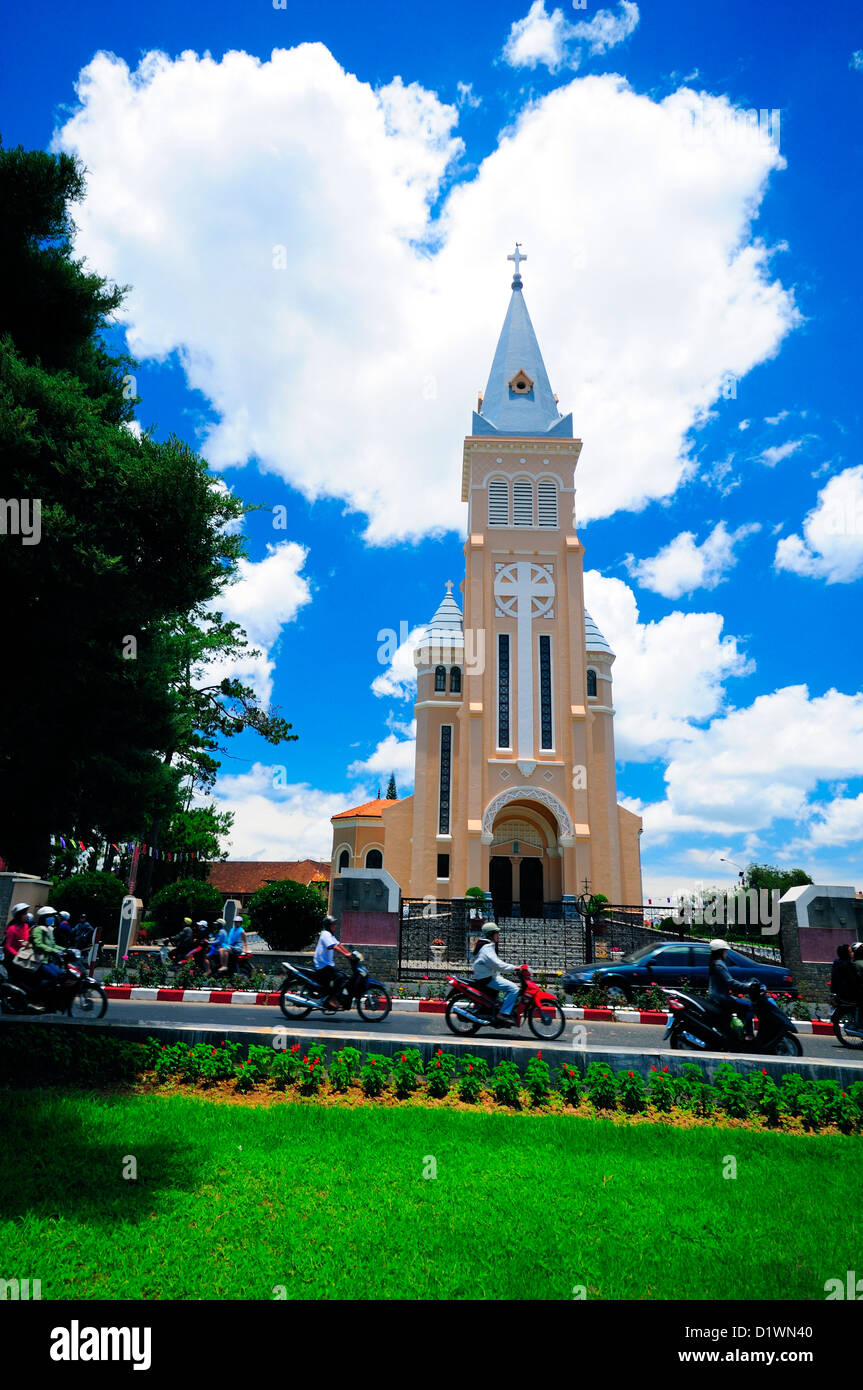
{"x": 279, "y": 821}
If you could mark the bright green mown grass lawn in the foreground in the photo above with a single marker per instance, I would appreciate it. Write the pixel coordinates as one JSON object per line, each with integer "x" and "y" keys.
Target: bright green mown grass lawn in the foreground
{"x": 330, "y": 1202}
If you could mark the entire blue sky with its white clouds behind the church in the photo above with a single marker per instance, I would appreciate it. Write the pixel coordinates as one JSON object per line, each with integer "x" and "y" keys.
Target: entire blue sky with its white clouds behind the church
{"x": 316, "y": 230}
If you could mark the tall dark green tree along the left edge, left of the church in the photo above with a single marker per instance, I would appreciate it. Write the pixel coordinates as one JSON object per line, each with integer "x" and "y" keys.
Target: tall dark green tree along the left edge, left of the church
{"x": 109, "y": 719}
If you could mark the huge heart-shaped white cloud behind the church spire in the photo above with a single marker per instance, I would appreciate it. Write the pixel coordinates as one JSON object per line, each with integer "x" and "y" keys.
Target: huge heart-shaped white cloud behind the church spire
{"x": 372, "y": 343}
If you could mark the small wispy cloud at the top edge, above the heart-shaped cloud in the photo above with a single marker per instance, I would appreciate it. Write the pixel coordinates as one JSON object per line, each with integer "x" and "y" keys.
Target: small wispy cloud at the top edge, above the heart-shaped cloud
{"x": 552, "y": 41}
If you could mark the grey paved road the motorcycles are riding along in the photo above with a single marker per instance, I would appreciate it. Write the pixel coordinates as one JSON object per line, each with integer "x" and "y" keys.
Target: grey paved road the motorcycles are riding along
{"x": 406, "y": 1027}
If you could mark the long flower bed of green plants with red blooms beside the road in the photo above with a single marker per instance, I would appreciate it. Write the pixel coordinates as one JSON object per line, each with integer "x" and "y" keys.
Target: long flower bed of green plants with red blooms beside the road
{"x": 60, "y": 1057}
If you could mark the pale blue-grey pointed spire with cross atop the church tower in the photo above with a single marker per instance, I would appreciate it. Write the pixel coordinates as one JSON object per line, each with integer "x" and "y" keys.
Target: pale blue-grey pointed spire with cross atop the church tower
{"x": 519, "y": 398}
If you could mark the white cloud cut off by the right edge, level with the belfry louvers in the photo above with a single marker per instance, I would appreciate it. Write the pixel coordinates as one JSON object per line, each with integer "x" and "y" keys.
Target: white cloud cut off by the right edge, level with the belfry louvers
{"x": 832, "y": 547}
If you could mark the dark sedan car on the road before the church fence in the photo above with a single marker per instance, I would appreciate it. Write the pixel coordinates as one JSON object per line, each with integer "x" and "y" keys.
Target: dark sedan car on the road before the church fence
{"x": 673, "y": 964}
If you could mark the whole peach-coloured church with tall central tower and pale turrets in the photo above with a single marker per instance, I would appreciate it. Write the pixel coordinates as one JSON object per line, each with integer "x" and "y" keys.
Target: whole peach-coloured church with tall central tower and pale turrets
{"x": 516, "y": 787}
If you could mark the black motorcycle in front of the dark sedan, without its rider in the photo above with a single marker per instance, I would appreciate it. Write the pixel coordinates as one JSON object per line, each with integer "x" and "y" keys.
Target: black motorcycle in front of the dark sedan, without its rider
{"x": 696, "y": 1025}
